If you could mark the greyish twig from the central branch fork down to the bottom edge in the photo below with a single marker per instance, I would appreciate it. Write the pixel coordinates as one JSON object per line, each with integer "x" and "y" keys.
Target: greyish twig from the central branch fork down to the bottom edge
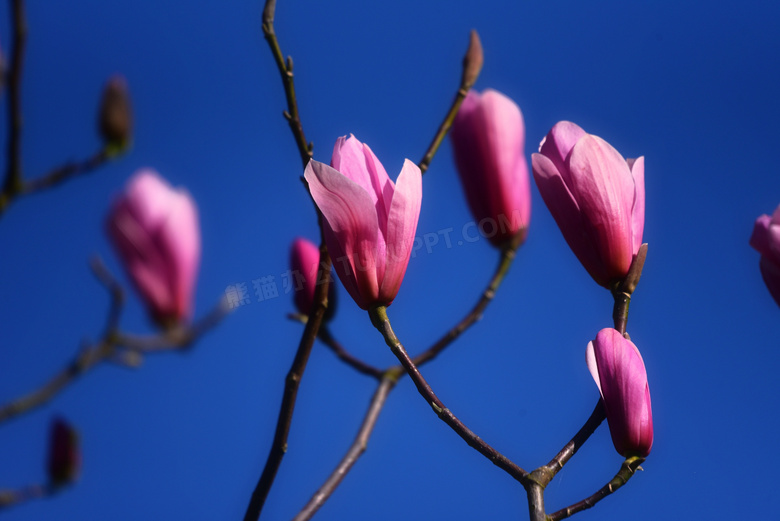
{"x": 357, "y": 448}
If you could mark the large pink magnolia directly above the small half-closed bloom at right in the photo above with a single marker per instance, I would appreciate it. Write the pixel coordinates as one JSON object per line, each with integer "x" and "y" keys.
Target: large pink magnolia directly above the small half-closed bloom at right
{"x": 596, "y": 197}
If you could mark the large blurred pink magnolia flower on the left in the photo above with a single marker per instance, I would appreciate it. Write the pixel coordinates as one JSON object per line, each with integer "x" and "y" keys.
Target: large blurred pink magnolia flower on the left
{"x": 156, "y": 233}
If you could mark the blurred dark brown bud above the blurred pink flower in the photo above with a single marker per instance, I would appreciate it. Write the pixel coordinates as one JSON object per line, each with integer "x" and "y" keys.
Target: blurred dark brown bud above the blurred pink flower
{"x": 115, "y": 116}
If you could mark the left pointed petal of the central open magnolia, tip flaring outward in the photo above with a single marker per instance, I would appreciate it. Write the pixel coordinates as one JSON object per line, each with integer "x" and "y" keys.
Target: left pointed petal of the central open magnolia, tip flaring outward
{"x": 351, "y": 214}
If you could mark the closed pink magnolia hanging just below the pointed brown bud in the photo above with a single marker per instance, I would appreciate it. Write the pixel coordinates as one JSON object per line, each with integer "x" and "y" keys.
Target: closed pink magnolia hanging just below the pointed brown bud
{"x": 488, "y": 136}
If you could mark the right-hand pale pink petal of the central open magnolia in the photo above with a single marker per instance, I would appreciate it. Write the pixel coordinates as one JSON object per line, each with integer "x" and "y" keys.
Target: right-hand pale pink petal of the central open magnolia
{"x": 401, "y": 227}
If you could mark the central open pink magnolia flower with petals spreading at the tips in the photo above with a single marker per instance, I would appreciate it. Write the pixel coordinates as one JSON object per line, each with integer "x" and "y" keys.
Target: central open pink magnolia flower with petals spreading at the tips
{"x": 369, "y": 221}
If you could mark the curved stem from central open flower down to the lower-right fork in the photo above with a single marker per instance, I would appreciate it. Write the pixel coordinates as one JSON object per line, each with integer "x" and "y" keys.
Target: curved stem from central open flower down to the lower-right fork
{"x": 382, "y": 323}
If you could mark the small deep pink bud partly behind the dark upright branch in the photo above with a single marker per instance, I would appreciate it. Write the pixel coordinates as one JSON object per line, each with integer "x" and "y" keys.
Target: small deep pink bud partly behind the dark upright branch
{"x": 304, "y": 263}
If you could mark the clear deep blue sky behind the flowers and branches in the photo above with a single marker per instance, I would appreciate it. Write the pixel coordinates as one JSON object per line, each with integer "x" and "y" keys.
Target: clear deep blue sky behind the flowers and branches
{"x": 693, "y": 89}
